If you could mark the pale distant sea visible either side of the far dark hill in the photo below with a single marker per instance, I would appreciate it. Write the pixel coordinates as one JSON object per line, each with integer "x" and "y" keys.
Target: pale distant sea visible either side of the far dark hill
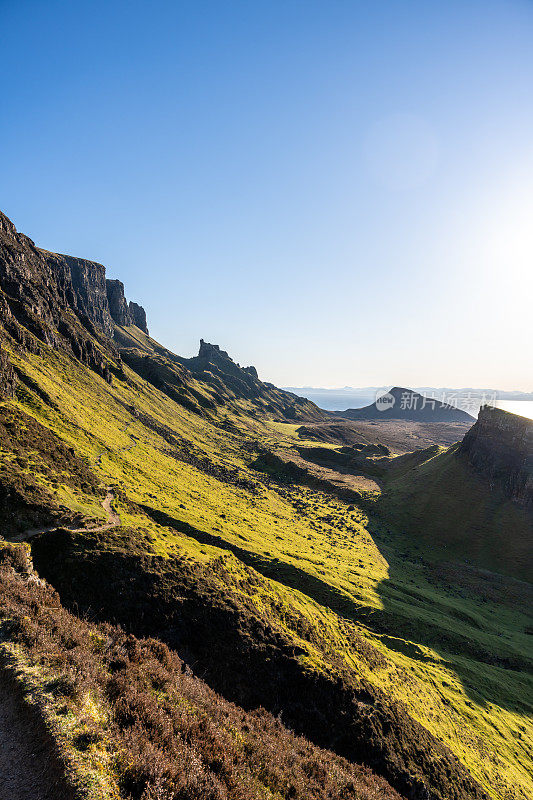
{"x": 340, "y": 400}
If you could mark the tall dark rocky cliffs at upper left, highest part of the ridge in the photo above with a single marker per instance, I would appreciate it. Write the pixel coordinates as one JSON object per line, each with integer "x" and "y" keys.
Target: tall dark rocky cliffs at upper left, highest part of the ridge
{"x": 60, "y": 301}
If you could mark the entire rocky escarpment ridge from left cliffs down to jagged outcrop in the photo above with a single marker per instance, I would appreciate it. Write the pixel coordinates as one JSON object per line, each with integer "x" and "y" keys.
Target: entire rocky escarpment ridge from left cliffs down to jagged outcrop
{"x": 67, "y": 303}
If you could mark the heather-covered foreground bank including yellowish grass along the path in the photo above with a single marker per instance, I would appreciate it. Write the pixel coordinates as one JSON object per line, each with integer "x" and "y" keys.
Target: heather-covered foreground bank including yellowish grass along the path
{"x": 191, "y": 743}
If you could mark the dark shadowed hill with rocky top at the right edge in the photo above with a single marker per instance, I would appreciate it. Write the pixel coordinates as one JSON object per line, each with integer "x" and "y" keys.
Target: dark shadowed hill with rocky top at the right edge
{"x": 474, "y": 501}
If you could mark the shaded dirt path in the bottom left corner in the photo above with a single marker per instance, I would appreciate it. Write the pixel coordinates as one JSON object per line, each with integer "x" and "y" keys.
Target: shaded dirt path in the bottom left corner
{"x": 29, "y": 769}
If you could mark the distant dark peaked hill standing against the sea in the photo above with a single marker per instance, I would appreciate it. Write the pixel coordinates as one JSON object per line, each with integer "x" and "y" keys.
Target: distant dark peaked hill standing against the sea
{"x": 407, "y": 404}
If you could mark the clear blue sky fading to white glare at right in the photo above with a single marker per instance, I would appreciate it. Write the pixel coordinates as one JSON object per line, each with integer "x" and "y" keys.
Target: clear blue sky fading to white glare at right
{"x": 340, "y": 193}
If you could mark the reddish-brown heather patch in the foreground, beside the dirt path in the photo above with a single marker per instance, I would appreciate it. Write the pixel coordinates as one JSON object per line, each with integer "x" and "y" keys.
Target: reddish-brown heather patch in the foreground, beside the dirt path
{"x": 172, "y": 737}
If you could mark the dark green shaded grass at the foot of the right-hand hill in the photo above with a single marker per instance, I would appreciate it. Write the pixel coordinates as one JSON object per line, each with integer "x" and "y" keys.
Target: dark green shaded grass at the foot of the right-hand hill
{"x": 439, "y": 608}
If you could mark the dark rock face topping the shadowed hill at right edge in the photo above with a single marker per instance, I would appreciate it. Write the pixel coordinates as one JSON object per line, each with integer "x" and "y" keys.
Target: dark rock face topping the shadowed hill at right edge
{"x": 500, "y": 448}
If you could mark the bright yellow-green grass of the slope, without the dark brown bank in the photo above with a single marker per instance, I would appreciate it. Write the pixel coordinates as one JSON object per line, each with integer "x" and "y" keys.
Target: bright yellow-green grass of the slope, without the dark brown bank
{"x": 456, "y": 656}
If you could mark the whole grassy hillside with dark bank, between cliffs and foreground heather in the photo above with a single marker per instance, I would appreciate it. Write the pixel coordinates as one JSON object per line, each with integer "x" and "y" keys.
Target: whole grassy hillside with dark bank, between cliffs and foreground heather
{"x": 277, "y": 593}
